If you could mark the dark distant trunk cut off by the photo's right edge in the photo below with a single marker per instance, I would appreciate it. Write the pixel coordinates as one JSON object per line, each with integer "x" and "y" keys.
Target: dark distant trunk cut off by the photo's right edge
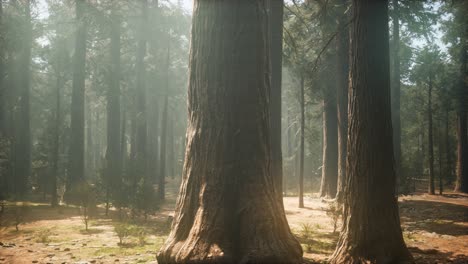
{"x": 462, "y": 115}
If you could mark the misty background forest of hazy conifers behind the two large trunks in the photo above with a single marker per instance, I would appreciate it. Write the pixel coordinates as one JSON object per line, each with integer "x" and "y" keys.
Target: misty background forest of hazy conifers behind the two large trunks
{"x": 93, "y": 98}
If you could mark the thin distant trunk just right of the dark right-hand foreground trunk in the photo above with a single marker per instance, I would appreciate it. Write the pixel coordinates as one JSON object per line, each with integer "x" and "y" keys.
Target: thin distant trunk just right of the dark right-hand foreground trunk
{"x": 396, "y": 120}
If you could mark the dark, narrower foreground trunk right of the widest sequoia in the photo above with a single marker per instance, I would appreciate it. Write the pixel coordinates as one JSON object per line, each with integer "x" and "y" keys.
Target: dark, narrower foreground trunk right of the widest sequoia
{"x": 371, "y": 224}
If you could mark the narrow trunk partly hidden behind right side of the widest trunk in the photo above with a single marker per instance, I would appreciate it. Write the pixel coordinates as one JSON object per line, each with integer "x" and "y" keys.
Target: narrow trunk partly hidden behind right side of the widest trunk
{"x": 276, "y": 50}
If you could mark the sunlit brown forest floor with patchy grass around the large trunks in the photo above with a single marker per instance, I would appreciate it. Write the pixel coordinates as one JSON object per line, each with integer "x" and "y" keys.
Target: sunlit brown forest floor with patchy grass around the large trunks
{"x": 435, "y": 229}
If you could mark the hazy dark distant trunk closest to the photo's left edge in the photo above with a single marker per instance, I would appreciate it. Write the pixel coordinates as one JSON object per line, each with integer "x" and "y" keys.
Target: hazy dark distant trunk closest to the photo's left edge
{"x": 23, "y": 129}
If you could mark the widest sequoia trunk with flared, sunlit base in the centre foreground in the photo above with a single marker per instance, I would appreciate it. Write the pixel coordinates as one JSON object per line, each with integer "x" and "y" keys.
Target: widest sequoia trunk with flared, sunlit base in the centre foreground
{"x": 227, "y": 210}
